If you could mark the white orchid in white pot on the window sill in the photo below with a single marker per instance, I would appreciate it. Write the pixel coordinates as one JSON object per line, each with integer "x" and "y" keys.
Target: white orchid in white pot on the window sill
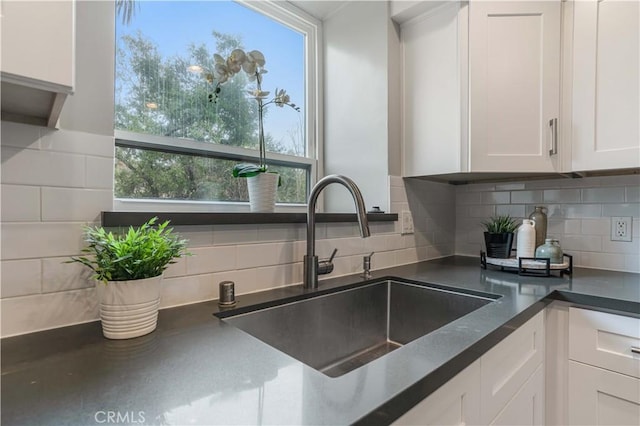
{"x": 261, "y": 183}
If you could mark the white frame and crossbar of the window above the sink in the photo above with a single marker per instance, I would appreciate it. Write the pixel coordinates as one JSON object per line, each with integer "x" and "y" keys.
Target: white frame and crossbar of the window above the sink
{"x": 289, "y": 16}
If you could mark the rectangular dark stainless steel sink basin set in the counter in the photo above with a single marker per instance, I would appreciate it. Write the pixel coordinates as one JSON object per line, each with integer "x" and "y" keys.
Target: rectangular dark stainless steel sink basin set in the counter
{"x": 338, "y": 332}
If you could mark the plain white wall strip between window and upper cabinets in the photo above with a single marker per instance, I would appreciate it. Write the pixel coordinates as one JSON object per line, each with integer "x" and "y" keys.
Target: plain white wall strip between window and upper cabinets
{"x": 356, "y": 102}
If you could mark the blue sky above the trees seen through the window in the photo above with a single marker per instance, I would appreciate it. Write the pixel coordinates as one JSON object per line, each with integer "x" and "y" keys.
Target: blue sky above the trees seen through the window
{"x": 173, "y": 25}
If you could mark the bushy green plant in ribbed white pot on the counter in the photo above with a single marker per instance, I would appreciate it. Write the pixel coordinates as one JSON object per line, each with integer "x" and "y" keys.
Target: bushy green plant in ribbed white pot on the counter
{"x": 128, "y": 268}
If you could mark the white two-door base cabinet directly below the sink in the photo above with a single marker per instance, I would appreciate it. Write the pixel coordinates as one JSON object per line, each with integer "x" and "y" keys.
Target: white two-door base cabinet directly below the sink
{"x": 505, "y": 386}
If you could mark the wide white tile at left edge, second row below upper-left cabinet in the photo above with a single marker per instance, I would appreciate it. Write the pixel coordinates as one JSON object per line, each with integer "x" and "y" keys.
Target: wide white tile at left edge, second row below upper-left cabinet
{"x": 32, "y": 167}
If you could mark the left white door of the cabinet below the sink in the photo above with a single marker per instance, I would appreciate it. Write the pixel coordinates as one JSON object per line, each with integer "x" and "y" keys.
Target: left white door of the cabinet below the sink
{"x": 455, "y": 403}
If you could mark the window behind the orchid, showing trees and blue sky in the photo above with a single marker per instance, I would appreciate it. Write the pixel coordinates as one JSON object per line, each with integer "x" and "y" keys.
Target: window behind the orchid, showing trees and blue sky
{"x": 172, "y": 143}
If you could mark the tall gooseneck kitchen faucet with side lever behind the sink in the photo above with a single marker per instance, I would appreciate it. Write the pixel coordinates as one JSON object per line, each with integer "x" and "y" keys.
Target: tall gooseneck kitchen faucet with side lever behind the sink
{"x": 312, "y": 267}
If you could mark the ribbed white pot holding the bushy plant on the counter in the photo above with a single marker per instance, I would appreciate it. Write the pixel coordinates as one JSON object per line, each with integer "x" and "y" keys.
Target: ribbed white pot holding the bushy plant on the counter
{"x": 129, "y": 308}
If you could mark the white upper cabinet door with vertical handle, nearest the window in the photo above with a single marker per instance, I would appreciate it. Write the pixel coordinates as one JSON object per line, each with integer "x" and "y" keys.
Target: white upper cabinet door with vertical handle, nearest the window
{"x": 514, "y": 58}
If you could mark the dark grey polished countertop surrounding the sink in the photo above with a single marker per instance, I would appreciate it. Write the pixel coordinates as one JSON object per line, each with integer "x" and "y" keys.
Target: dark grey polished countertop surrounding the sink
{"x": 196, "y": 369}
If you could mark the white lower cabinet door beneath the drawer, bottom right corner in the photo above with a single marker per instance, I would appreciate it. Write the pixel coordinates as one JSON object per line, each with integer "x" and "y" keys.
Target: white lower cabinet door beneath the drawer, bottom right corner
{"x": 602, "y": 397}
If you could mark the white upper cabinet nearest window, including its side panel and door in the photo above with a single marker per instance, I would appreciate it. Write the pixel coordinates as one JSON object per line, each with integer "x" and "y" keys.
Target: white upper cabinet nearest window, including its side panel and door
{"x": 481, "y": 89}
